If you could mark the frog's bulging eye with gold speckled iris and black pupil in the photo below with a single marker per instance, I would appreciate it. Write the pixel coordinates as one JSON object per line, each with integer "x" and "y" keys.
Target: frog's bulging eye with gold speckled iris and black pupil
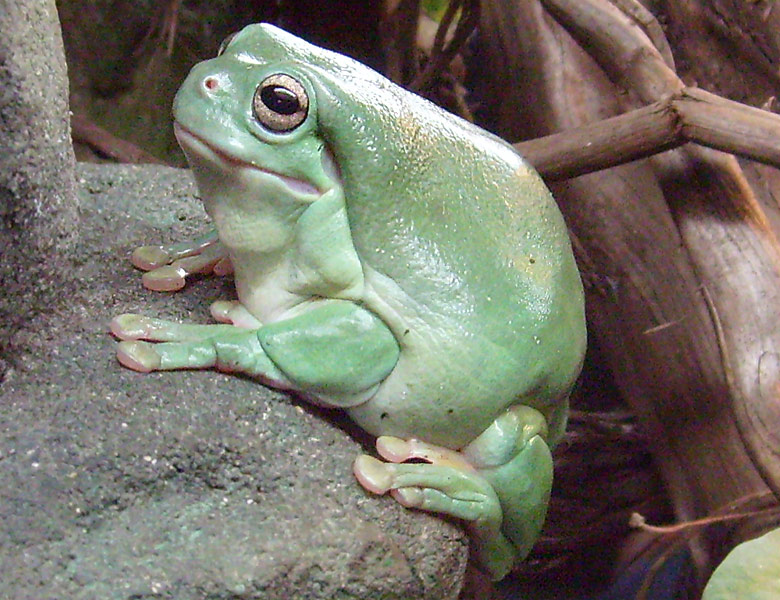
{"x": 280, "y": 103}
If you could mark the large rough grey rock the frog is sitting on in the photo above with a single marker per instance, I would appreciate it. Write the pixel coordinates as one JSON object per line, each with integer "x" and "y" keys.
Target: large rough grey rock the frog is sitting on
{"x": 185, "y": 485}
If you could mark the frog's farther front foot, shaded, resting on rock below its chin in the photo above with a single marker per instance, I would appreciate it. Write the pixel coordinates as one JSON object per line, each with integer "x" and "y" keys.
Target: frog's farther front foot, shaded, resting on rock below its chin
{"x": 169, "y": 266}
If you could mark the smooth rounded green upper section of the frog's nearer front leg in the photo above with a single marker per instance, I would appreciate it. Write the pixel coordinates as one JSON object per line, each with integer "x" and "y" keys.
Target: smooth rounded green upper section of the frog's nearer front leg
{"x": 336, "y": 348}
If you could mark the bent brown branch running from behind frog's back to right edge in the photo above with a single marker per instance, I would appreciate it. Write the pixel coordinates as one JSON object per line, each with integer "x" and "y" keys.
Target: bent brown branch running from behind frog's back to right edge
{"x": 691, "y": 115}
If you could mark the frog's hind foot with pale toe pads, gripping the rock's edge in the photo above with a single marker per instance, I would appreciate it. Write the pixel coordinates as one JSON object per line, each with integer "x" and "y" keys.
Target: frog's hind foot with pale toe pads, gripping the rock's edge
{"x": 447, "y": 484}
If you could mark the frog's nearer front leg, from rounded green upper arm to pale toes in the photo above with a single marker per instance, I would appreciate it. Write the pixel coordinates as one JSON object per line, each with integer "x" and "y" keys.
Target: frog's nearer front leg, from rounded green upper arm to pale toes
{"x": 335, "y": 352}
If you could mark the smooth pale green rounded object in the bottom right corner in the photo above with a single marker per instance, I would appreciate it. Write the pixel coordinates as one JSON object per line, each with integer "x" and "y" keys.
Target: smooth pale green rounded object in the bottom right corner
{"x": 751, "y": 571}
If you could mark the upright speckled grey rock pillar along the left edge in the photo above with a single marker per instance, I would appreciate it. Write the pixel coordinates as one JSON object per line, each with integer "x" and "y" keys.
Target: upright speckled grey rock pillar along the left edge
{"x": 38, "y": 203}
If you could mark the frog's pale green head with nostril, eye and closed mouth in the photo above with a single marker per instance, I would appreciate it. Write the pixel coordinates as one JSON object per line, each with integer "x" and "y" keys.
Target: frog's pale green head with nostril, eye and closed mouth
{"x": 251, "y": 113}
